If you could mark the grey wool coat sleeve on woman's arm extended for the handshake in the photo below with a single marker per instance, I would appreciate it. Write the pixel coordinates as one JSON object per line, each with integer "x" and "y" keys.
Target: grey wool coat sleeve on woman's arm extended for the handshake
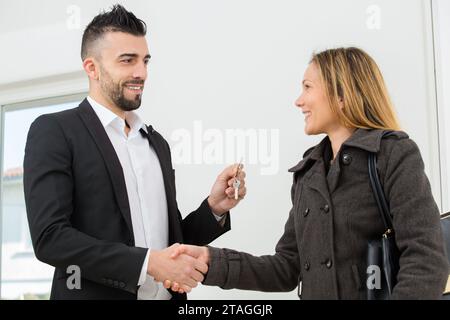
{"x": 230, "y": 269}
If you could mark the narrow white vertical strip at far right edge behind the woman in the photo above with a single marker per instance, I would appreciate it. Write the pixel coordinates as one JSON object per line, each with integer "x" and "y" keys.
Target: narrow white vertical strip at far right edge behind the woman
{"x": 441, "y": 12}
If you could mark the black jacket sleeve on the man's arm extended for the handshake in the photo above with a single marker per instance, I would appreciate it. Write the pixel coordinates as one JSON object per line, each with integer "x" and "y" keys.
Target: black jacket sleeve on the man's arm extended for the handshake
{"x": 48, "y": 187}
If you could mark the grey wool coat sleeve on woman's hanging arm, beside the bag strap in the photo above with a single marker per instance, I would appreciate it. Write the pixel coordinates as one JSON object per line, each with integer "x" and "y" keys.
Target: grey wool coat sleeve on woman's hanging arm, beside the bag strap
{"x": 423, "y": 264}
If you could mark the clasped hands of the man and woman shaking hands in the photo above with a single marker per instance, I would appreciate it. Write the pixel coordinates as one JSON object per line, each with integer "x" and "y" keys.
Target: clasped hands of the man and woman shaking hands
{"x": 180, "y": 267}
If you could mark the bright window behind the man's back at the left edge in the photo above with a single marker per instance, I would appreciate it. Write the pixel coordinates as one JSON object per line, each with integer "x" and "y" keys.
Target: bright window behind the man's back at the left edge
{"x": 22, "y": 275}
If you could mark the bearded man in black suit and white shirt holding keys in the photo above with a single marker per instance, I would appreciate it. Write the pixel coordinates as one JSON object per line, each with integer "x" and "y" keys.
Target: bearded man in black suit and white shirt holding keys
{"x": 100, "y": 187}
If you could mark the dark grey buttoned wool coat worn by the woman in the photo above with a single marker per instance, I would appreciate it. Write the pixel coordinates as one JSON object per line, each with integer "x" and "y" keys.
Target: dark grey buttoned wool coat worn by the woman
{"x": 334, "y": 215}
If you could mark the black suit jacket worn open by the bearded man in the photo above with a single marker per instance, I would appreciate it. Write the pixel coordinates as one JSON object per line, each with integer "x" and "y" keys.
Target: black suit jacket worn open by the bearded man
{"x": 78, "y": 210}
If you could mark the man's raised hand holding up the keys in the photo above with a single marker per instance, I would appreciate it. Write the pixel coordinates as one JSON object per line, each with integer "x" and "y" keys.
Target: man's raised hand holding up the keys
{"x": 221, "y": 199}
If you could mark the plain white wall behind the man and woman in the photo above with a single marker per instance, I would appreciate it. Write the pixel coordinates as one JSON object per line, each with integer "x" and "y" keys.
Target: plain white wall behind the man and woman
{"x": 238, "y": 65}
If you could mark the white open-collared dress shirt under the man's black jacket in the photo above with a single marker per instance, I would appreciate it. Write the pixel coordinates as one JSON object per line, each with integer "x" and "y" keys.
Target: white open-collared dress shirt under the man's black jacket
{"x": 145, "y": 190}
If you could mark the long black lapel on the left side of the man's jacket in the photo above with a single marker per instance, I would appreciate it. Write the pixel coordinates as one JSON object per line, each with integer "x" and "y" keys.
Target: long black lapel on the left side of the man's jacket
{"x": 110, "y": 158}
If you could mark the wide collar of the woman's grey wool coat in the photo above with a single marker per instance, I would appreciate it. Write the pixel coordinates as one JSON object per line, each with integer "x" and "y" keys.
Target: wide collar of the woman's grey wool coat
{"x": 366, "y": 139}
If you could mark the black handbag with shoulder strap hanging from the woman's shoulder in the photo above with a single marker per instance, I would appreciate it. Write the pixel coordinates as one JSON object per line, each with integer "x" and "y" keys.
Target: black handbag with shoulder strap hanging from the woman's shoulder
{"x": 382, "y": 254}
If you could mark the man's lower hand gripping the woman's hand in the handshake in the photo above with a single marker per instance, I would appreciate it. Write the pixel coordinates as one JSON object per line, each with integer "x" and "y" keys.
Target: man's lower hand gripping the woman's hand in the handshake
{"x": 170, "y": 263}
